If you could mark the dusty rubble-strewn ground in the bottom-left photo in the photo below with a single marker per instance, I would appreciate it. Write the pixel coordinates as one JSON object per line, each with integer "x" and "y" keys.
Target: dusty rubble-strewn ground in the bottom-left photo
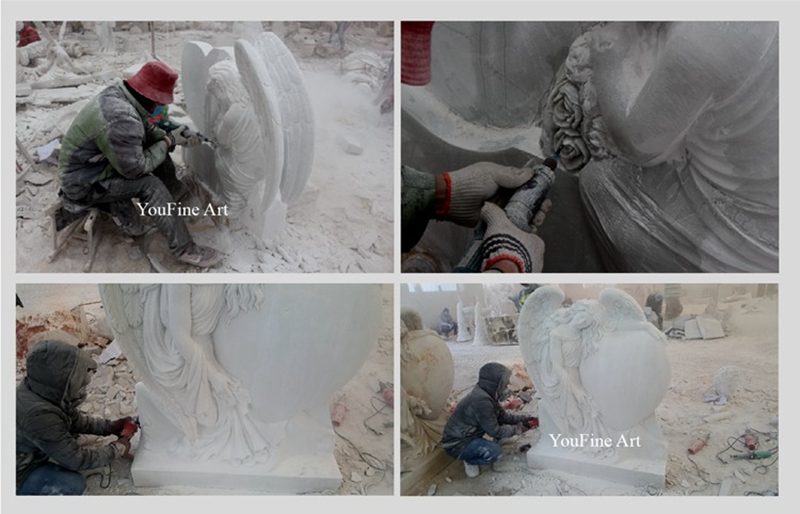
{"x": 365, "y": 443}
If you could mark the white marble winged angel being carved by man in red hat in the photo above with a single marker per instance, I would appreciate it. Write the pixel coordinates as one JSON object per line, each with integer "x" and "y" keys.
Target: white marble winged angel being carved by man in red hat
{"x": 251, "y": 100}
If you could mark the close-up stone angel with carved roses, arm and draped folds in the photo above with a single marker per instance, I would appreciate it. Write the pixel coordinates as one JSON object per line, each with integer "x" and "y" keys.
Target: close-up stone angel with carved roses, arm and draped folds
{"x": 673, "y": 127}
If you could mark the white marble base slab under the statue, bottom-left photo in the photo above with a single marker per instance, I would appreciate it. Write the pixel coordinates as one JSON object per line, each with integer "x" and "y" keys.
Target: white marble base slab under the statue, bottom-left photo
{"x": 294, "y": 475}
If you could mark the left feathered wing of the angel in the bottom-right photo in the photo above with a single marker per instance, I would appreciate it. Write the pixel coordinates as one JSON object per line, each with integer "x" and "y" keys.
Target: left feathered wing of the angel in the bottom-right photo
{"x": 535, "y": 323}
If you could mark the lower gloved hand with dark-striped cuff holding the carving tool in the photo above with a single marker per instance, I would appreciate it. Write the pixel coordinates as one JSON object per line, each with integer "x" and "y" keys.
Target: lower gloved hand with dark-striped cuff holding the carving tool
{"x": 507, "y": 248}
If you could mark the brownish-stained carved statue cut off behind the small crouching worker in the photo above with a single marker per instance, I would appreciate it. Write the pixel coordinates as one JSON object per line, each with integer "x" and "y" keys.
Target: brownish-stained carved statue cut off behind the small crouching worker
{"x": 427, "y": 373}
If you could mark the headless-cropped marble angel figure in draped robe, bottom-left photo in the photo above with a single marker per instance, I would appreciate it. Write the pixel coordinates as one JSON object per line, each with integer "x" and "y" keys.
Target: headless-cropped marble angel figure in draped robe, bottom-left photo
{"x": 182, "y": 376}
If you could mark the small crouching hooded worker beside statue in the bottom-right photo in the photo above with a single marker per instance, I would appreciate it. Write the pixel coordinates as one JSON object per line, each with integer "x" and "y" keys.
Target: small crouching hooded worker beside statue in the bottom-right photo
{"x": 479, "y": 414}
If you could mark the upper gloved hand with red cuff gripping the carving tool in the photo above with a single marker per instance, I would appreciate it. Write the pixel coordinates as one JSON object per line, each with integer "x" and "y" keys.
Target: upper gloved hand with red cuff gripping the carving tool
{"x": 471, "y": 186}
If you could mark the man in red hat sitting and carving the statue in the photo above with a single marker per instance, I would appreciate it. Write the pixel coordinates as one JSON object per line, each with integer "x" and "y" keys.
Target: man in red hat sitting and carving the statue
{"x": 113, "y": 152}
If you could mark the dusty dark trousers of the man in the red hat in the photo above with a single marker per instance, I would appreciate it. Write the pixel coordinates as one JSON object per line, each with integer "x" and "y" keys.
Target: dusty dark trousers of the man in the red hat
{"x": 151, "y": 190}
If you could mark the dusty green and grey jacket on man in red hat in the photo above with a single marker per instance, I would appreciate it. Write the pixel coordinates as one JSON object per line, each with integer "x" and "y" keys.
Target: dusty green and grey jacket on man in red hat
{"x": 110, "y": 137}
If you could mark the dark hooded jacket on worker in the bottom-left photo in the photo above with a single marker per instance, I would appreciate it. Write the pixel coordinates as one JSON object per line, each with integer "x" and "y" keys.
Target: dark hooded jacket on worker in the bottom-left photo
{"x": 47, "y": 415}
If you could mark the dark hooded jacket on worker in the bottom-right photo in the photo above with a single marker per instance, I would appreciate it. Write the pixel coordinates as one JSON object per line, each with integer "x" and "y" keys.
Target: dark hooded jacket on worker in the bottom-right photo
{"x": 480, "y": 413}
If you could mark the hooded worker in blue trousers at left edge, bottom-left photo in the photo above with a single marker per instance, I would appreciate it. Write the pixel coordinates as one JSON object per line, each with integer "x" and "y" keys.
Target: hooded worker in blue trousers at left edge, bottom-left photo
{"x": 49, "y": 458}
